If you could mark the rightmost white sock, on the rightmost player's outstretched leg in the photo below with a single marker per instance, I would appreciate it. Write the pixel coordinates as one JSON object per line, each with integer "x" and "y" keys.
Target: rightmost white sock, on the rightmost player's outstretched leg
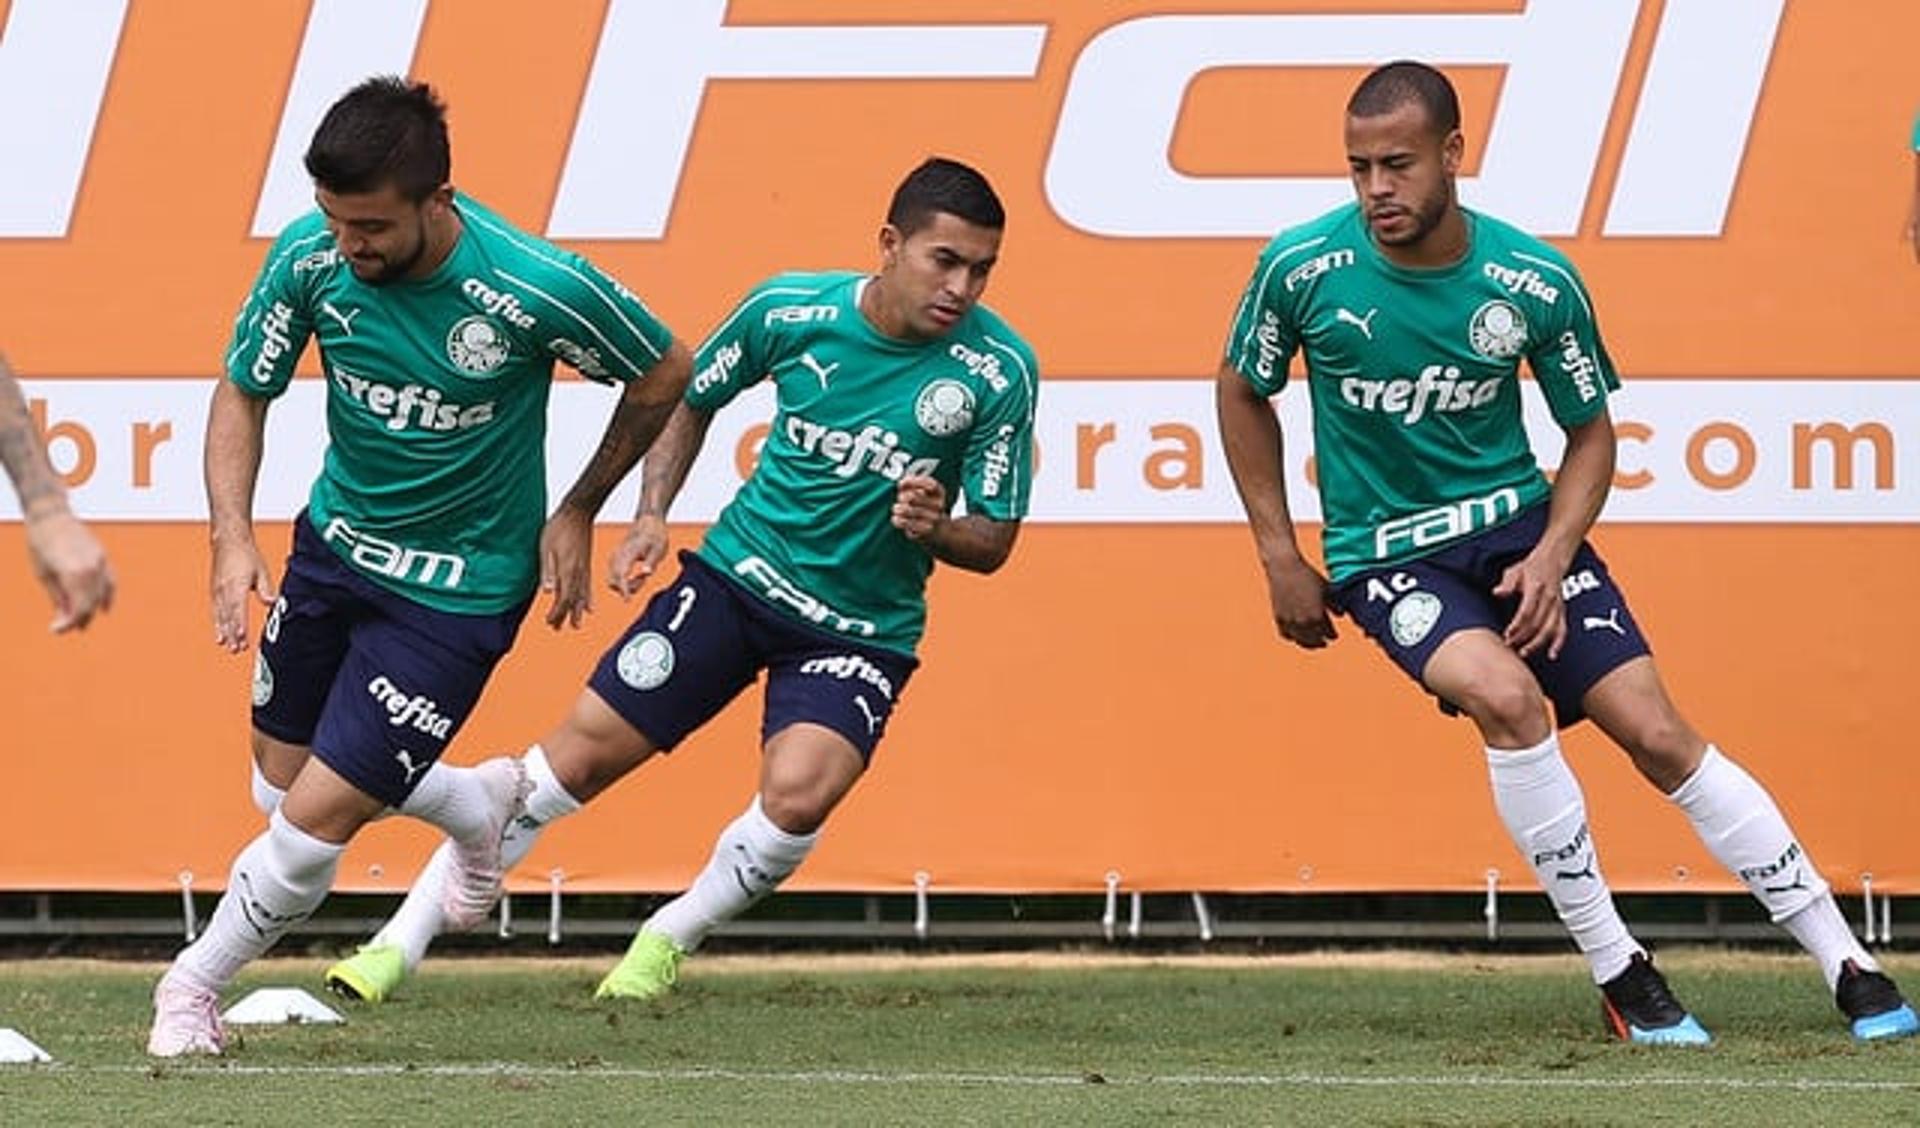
{"x": 1746, "y": 834}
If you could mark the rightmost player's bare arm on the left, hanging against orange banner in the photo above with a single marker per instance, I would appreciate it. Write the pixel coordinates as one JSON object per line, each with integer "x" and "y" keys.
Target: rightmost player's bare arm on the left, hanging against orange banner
{"x": 1255, "y": 446}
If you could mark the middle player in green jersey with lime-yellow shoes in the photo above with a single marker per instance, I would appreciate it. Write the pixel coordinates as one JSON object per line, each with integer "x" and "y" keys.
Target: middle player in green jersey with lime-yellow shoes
{"x": 898, "y": 392}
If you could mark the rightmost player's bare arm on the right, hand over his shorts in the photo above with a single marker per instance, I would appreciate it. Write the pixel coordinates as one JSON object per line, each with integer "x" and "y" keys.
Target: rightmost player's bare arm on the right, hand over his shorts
{"x": 1579, "y": 494}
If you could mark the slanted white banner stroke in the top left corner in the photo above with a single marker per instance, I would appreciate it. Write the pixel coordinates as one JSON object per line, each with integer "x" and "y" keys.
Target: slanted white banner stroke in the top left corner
{"x": 55, "y": 64}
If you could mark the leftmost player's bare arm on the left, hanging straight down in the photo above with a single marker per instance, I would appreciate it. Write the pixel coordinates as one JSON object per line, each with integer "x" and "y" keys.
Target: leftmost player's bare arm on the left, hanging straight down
{"x": 237, "y": 427}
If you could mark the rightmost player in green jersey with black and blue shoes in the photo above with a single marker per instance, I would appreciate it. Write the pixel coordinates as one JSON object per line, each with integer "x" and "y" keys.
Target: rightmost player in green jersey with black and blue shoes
{"x": 1451, "y": 550}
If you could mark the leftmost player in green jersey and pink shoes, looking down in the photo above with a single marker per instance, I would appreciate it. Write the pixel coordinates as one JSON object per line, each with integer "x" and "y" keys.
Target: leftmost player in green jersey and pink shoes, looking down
{"x": 425, "y": 534}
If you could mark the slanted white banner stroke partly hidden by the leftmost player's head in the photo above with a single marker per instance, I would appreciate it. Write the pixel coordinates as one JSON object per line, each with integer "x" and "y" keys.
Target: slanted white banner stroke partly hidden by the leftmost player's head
{"x": 345, "y": 43}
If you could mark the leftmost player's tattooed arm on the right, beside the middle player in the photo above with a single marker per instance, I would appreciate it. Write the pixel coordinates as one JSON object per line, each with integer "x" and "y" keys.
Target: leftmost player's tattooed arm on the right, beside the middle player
{"x": 567, "y": 540}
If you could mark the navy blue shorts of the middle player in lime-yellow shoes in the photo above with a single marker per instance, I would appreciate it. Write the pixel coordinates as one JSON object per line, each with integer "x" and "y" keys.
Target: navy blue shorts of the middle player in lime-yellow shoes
{"x": 704, "y": 640}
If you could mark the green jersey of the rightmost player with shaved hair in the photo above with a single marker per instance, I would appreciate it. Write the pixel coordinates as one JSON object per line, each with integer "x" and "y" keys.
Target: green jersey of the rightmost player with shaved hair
{"x": 1414, "y": 377}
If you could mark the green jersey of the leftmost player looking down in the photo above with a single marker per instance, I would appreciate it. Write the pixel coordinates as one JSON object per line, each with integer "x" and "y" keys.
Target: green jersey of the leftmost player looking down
{"x": 437, "y": 396}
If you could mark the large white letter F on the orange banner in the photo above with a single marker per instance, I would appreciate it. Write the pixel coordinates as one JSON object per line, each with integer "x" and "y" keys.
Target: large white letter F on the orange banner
{"x": 654, "y": 66}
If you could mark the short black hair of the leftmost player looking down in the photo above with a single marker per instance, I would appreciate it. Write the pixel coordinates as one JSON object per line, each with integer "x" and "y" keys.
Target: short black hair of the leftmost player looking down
{"x": 385, "y": 131}
